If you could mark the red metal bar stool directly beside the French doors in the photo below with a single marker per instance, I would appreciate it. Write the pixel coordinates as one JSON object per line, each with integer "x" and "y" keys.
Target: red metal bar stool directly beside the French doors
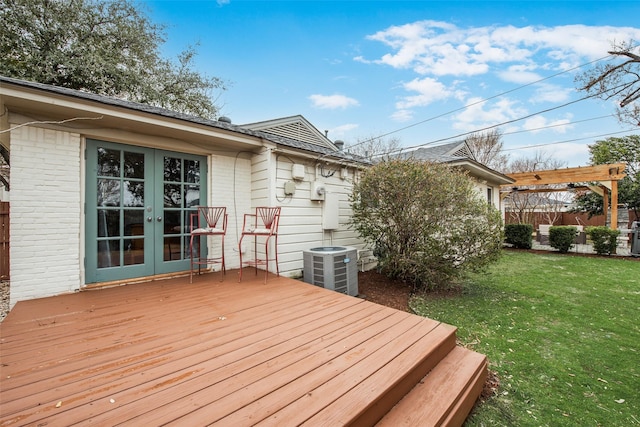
{"x": 207, "y": 221}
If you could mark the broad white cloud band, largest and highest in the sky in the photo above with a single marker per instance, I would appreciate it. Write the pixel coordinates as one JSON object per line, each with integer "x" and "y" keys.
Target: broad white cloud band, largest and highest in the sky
{"x": 440, "y": 48}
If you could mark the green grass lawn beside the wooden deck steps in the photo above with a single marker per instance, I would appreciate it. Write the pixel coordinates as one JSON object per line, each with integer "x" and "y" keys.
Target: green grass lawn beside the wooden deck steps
{"x": 561, "y": 332}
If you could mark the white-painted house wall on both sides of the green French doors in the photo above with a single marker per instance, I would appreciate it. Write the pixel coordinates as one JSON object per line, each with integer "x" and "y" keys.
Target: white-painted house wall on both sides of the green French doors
{"x": 47, "y": 245}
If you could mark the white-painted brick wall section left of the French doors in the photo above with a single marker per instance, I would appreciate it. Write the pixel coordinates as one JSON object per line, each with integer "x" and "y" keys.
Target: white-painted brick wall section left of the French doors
{"x": 45, "y": 213}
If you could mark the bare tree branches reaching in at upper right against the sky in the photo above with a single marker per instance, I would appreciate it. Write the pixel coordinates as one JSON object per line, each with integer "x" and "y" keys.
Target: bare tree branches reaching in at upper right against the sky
{"x": 618, "y": 80}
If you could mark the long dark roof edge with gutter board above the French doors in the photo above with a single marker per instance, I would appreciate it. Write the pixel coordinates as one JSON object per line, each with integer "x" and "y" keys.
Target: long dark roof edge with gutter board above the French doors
{"x": 326, "y": 150}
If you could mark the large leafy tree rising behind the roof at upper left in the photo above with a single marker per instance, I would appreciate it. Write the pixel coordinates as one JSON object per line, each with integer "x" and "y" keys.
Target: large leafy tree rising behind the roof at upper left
{"x": 104, "y": 47}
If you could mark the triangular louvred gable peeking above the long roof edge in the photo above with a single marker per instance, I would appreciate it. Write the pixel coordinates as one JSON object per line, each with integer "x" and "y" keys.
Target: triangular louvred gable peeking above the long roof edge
{"x": 293, "y": 127}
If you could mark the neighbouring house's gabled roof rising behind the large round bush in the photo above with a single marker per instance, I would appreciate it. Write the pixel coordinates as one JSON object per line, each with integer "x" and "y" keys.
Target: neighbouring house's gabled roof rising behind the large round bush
{"x": 457, "y": 154}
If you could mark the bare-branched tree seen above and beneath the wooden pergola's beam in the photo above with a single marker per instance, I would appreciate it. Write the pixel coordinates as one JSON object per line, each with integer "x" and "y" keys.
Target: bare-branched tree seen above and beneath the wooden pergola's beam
{"x": 523, "y": 205}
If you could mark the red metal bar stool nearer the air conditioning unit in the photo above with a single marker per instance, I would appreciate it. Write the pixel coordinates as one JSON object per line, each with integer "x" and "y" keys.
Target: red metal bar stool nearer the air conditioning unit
{"x": 262, "y": 224}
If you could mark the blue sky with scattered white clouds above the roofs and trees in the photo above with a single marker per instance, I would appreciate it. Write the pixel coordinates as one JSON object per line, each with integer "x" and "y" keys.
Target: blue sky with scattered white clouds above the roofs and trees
{"x": 416, "y": 71}
